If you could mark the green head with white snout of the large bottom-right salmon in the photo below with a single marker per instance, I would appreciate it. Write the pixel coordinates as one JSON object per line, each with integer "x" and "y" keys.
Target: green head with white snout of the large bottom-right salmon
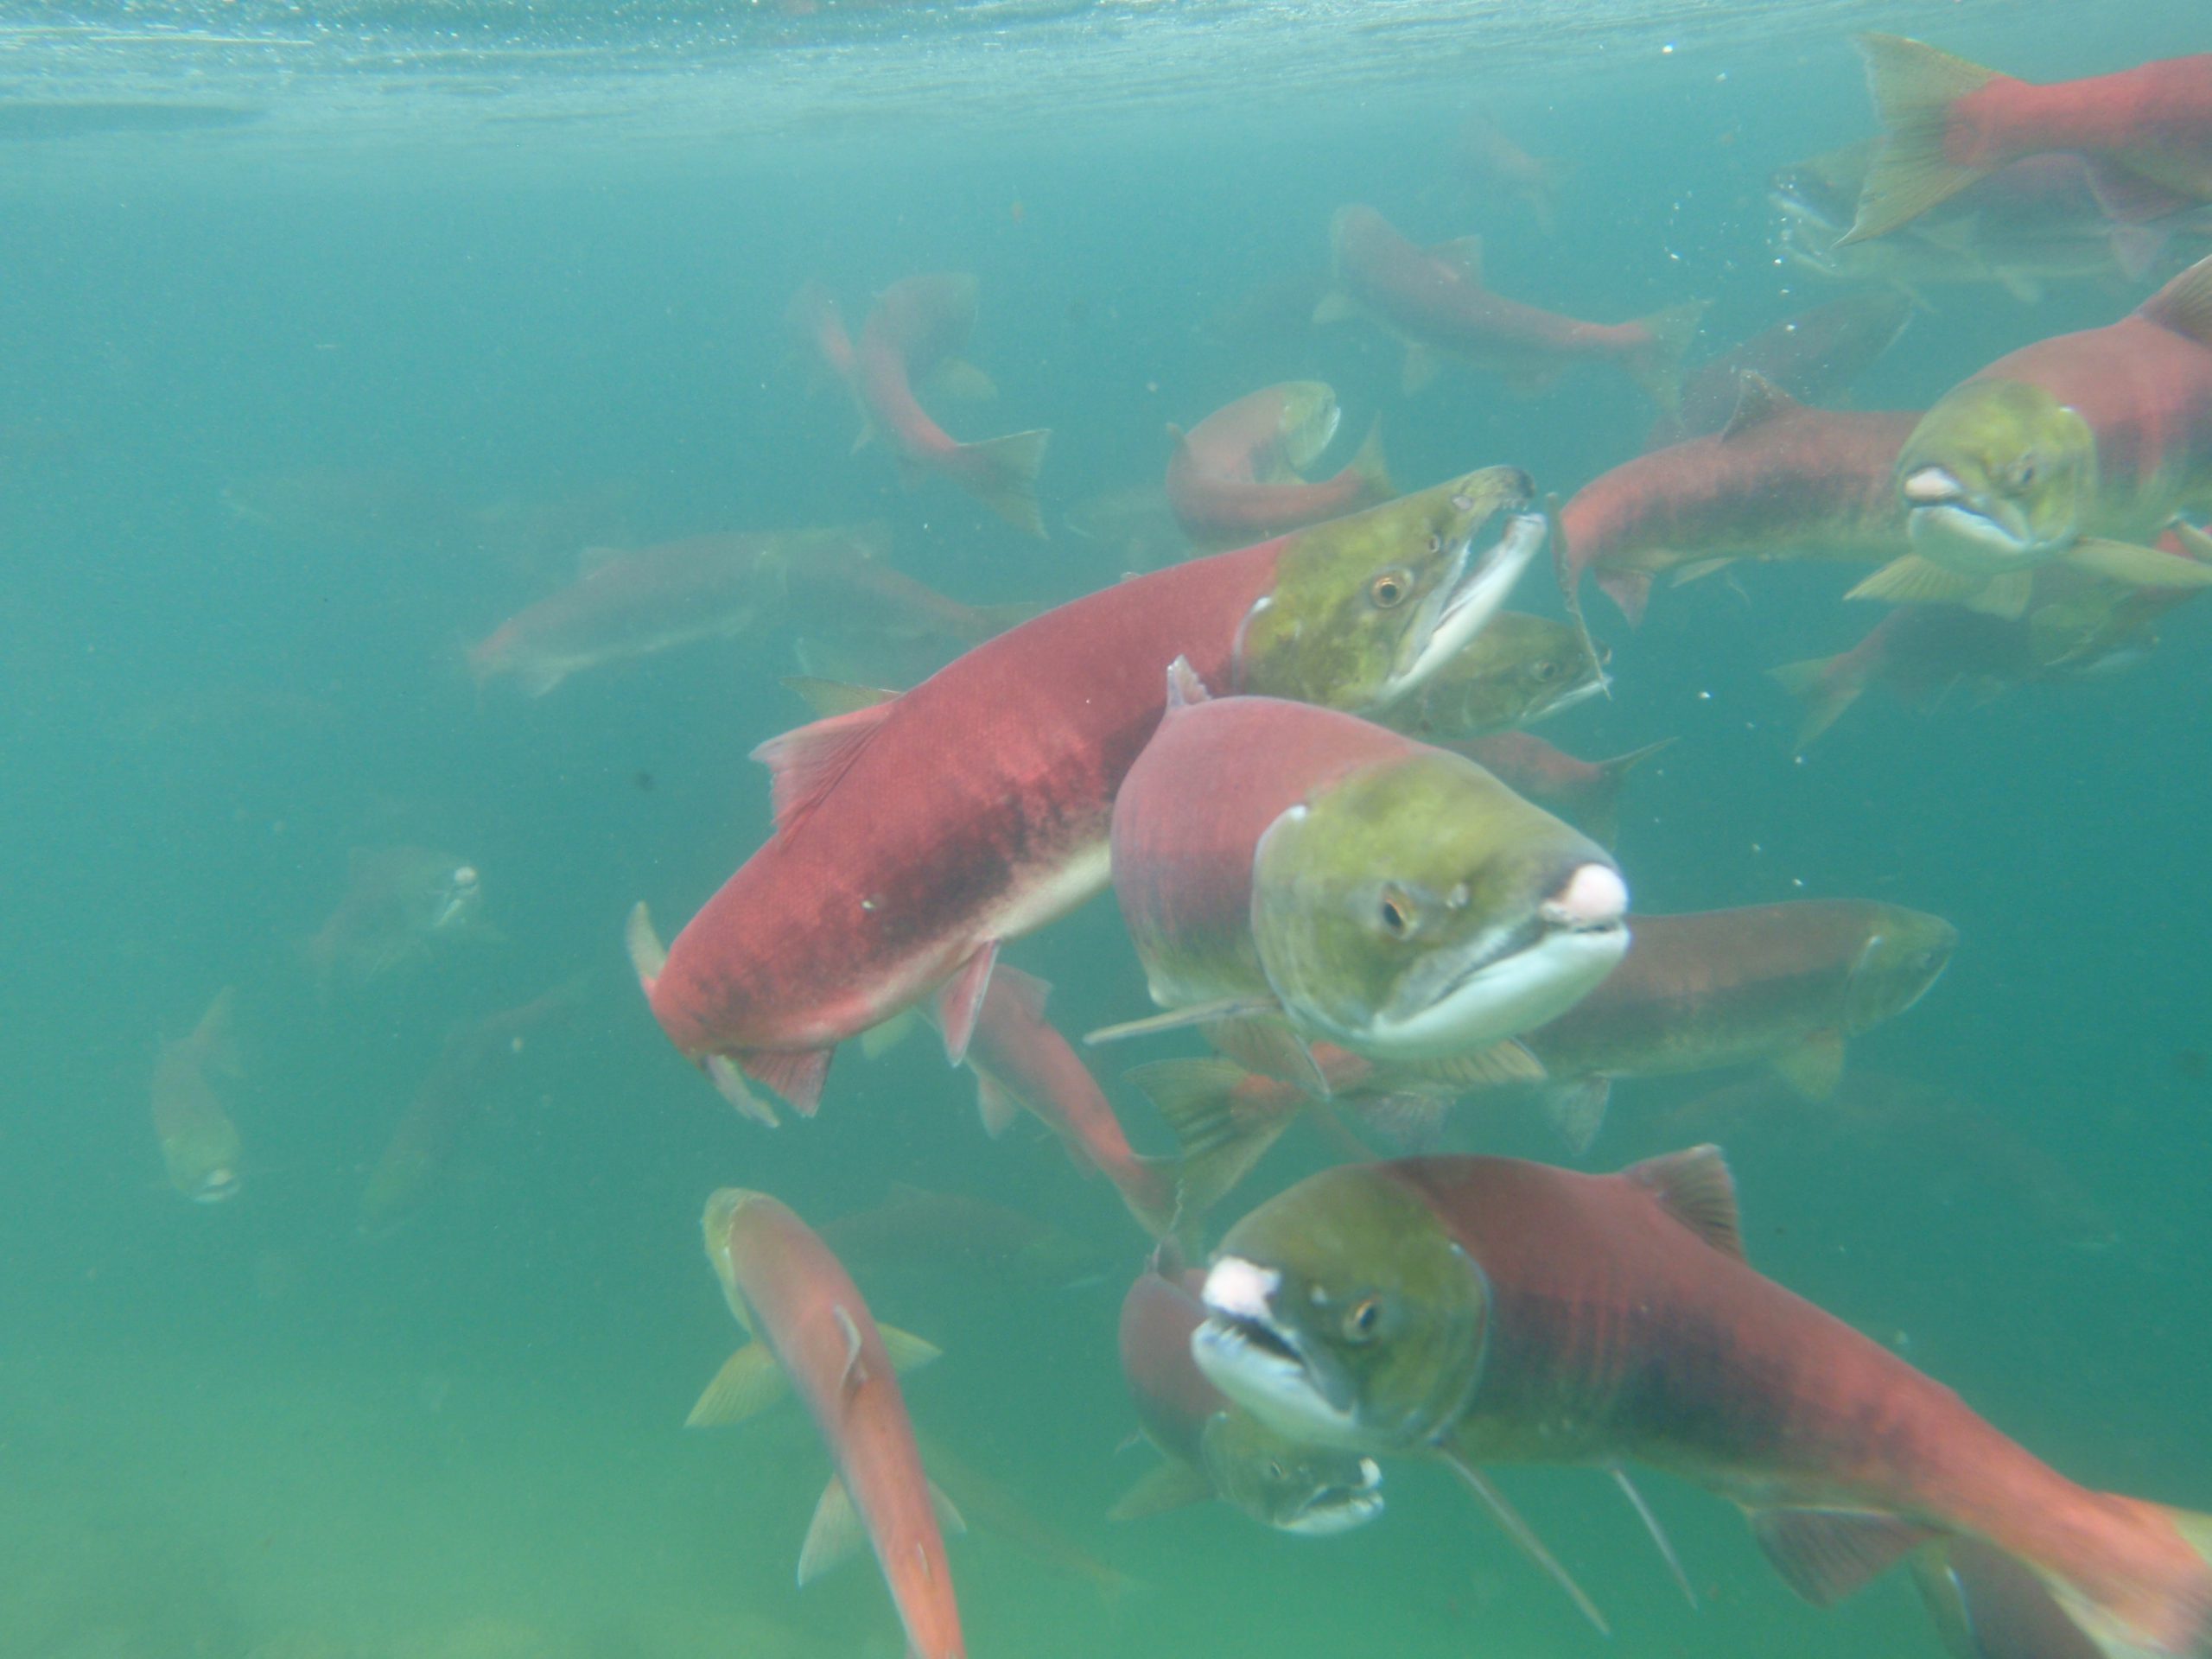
{"x": 1344, "y": 1313}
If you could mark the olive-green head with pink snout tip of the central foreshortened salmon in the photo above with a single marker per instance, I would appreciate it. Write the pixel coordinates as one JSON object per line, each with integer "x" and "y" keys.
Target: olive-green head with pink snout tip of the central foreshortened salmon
{"x": 1419, "y": 910}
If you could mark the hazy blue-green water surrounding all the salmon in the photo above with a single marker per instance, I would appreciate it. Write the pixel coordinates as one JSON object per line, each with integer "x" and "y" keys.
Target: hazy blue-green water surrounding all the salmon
{"x": 331, "y": 335}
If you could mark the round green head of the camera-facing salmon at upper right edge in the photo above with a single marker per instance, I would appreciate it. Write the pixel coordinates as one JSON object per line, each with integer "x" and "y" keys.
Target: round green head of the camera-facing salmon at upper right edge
{"x": 1996, "y": 479}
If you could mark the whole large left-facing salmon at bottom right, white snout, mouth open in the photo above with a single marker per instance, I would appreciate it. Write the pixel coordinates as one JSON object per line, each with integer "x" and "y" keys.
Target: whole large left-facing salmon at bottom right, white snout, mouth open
{"x": 1488, "y": 1311}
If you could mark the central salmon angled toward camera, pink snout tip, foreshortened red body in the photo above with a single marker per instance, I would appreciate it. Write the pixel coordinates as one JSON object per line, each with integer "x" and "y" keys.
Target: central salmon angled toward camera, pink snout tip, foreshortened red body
{"x": 1295, "y": 864}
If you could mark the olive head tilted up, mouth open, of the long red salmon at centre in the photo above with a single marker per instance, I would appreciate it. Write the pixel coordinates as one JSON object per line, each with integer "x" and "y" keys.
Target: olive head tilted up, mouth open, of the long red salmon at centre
{"x": 1368, "y": 607}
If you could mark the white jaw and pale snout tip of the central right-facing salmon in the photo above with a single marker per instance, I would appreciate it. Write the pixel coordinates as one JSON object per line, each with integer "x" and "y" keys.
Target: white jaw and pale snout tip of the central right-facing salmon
{"x": 1510, "y": 979}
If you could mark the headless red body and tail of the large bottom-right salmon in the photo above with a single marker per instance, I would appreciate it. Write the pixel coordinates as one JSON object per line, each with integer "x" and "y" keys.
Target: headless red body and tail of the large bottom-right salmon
{"x": 1616, "y": 1331}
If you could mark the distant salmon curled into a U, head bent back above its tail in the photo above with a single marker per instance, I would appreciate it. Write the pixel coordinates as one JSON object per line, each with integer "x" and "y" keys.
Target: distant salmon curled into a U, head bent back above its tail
{"x": 1238, "y": 477}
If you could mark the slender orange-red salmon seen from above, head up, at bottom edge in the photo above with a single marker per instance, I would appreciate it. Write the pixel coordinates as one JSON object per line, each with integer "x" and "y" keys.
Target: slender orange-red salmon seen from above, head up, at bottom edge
{"x": 815, "y": 1337}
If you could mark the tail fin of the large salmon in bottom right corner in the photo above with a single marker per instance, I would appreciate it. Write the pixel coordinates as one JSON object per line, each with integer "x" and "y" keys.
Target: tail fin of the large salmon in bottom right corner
{"x": 2149, "y": 1596}
